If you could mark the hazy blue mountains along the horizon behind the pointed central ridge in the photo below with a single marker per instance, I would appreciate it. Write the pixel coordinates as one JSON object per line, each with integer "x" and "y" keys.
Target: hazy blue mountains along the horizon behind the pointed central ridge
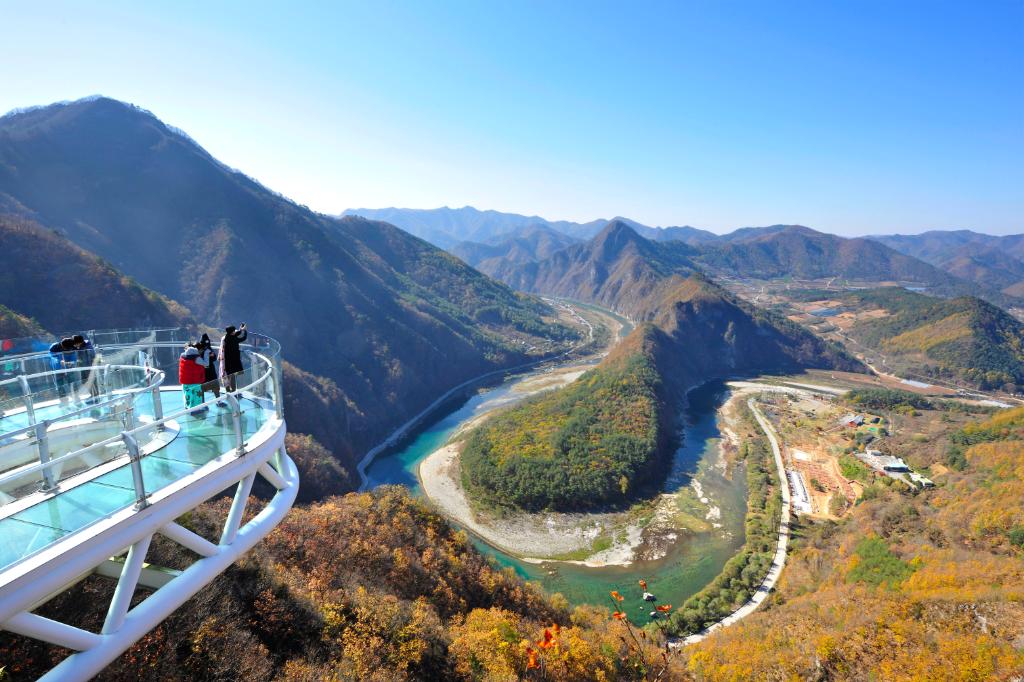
{"x": 950, "y": 264}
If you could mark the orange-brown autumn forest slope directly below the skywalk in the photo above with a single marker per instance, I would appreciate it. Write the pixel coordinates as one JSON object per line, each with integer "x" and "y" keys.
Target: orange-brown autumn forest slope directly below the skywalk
{"x": 411, "y": 600}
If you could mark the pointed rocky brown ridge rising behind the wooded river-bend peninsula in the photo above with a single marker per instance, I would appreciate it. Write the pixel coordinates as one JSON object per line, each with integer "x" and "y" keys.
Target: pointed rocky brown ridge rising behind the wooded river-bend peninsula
{"x": 710, "y": 332}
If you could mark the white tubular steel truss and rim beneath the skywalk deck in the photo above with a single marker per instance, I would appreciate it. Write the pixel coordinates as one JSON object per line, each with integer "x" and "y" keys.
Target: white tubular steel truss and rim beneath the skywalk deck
{"x": 27, "y": 586}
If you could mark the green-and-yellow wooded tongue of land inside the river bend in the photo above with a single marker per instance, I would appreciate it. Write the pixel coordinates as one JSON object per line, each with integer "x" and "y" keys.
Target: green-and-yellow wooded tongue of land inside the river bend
{"x": 589, "y": 445}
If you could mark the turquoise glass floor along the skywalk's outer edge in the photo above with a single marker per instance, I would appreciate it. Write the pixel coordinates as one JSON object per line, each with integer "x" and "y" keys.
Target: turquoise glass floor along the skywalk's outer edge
{"x": 199, "y": 441}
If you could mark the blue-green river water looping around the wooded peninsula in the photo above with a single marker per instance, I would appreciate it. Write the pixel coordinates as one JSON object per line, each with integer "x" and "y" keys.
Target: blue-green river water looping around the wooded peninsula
{"x": 693, "y": 561}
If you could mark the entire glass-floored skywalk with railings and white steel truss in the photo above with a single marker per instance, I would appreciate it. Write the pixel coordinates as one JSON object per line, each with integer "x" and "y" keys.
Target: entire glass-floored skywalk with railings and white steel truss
{"x": 99, "y": 455}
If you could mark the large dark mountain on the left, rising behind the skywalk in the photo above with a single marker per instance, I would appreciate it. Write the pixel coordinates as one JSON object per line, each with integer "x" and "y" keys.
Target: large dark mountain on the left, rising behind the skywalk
{"x": 375, "y": 322}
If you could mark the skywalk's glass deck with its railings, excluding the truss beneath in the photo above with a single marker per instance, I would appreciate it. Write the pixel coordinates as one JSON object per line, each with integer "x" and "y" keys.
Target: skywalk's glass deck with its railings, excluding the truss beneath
{"x": 65, "y": 460}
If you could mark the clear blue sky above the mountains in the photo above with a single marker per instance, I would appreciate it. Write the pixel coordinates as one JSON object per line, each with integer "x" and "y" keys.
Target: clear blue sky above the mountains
{"x": 852, "y": 117}
